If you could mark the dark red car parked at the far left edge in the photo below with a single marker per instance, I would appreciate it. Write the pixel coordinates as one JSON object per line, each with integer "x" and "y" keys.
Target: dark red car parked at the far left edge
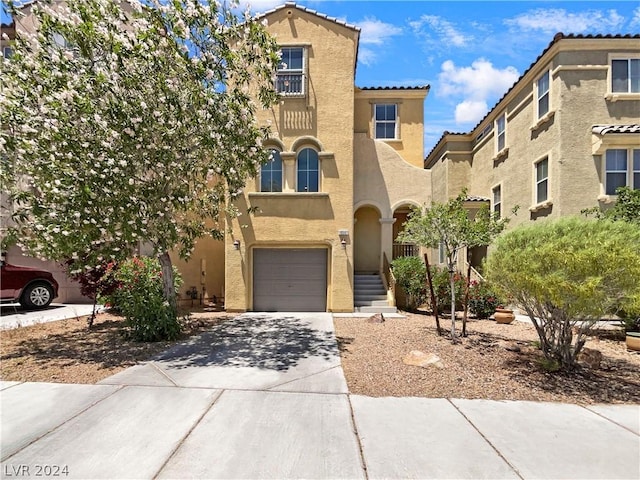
{"x": 31, "y": 287}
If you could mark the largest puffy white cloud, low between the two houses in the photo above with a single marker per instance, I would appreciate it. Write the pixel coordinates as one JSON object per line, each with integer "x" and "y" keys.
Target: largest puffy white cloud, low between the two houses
{"x": 474, "y": 85}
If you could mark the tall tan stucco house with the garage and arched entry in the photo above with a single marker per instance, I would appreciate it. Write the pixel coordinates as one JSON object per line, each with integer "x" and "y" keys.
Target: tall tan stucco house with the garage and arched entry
{"x": 346, "y": 168}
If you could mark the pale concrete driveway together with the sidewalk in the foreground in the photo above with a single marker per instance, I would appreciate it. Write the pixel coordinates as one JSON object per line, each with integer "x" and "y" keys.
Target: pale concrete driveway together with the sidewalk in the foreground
{"x": 263, "y": 396}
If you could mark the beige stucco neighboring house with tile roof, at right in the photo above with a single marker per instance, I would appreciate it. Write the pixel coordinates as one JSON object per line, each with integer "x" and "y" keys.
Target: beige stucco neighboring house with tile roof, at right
{"x": 561, "y": 140}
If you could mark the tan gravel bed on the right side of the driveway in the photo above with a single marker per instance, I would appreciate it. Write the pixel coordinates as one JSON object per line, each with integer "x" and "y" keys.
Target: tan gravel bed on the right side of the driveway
{"x": 480, "y": 366}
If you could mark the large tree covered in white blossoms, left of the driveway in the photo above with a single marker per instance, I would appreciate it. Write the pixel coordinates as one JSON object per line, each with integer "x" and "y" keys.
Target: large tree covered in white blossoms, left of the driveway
{"x": 129, "y": 122}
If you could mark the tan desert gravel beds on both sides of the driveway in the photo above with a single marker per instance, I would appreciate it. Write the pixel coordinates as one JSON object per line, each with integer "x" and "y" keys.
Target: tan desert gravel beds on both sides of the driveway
{"x": 494, "y": 361}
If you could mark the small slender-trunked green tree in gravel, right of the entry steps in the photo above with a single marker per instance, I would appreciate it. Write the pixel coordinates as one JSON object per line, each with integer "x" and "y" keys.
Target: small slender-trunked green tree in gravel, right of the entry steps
{"x": 449, "y": 225}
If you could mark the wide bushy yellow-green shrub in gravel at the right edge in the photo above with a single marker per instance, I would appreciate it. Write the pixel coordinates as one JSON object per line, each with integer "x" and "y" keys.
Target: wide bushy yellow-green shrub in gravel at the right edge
{"x": 567, "y": 274}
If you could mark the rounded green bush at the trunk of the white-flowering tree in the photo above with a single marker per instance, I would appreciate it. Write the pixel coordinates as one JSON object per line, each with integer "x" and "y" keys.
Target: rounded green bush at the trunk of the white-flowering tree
{"x": 139, "y": 298}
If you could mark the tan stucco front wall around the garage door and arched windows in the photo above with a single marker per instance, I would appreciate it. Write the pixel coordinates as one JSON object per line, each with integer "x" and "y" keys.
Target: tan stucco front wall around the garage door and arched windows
{"x": 323, "y": 120}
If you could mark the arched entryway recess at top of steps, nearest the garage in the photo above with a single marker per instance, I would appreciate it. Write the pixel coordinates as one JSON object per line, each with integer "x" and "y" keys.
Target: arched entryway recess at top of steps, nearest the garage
{"x": 367, "y": 243}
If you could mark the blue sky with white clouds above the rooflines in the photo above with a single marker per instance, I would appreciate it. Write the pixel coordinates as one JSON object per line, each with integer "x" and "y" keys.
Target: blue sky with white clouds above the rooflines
{"x": 470, "y": 53}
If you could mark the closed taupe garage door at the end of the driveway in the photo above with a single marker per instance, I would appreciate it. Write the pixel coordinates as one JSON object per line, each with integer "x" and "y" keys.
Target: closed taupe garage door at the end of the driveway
{"x": 290, "y": 280}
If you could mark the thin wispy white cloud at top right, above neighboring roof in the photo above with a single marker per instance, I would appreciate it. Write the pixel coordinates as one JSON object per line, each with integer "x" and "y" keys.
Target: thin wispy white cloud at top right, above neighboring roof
{"x": 553, "y": 20}
